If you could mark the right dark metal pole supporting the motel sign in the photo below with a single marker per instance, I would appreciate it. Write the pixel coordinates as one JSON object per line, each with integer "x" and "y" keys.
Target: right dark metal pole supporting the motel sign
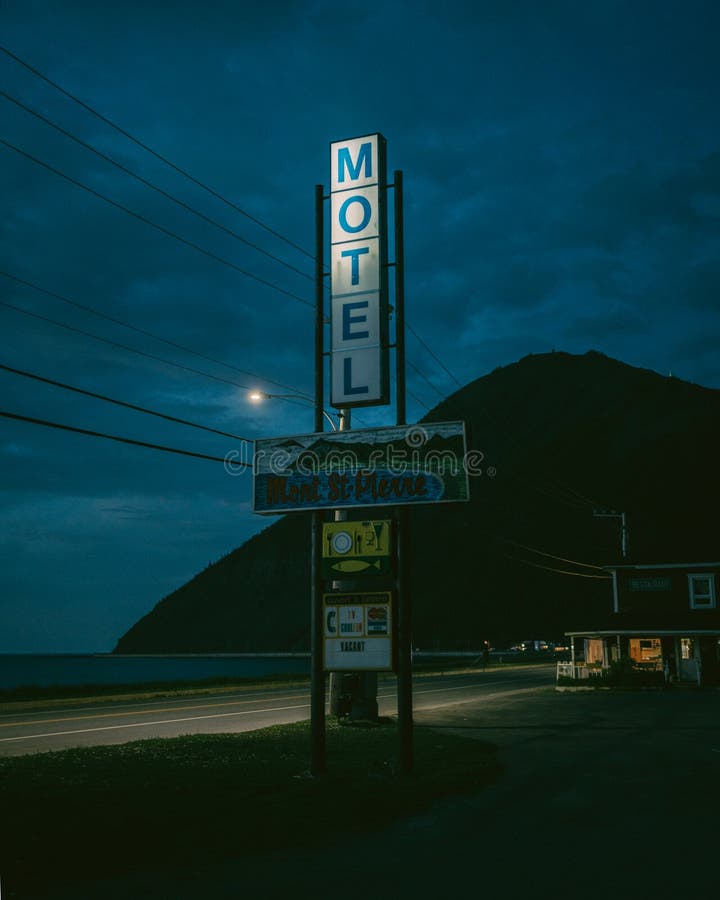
{"x": 404, "y": 682}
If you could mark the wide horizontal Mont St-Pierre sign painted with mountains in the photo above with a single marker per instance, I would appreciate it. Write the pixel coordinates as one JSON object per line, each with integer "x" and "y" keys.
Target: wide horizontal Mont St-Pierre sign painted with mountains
{"x": 402, "y": 465}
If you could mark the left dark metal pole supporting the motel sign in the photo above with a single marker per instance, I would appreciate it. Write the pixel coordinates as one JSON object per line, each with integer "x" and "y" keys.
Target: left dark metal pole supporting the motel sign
{"x": 317, "y": 680}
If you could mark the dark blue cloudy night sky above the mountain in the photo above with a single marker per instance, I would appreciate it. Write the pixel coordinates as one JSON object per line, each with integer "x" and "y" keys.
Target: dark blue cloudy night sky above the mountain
{"x": 562, "y": 178}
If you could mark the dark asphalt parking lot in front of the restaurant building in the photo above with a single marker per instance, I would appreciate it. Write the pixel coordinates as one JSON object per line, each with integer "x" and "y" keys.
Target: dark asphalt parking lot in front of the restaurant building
{"x": 603, "y": 794}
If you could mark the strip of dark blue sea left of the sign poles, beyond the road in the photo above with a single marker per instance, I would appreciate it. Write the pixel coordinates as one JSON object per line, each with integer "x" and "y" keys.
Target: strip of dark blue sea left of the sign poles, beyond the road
{"x": 46, "y": 670}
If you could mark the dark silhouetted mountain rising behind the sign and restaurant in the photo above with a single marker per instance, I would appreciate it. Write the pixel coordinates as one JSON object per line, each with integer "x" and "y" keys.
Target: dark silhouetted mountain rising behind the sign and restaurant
{"x": 561, "y": 436}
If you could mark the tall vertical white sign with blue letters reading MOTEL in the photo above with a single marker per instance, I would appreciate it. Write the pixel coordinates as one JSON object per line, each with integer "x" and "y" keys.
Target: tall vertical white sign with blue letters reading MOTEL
{"x": 358, "y": 272}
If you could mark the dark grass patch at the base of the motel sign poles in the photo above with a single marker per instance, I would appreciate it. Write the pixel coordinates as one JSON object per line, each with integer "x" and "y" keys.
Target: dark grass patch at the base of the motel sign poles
{"x": 99, "y": 812}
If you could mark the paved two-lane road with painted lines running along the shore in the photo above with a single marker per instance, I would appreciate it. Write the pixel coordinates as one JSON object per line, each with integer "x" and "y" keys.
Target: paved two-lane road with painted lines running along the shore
{"x": 56, "y": 728}
